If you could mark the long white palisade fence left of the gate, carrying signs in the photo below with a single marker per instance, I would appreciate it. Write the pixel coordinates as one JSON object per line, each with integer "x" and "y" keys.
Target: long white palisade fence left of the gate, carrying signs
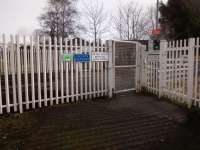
{"x": 38, "y": 72}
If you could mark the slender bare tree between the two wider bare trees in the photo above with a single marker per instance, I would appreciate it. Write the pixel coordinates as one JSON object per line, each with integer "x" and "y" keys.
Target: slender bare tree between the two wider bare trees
{"x": 95, "y": 19}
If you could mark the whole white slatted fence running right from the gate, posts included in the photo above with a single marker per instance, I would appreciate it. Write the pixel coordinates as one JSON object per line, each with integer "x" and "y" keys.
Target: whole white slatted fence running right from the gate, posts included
{"x": 174, "y": 71}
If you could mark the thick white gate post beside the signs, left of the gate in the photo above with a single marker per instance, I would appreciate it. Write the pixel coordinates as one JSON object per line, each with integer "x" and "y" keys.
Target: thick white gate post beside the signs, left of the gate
{"x": 110, "y": 69}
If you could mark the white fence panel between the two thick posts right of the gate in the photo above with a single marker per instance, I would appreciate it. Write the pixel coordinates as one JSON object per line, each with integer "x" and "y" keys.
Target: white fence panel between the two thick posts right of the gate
{"x": 174, "y": 73}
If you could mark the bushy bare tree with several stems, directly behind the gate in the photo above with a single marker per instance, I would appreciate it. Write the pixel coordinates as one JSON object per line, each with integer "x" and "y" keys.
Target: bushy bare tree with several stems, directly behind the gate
{"x": 131, "y": 22}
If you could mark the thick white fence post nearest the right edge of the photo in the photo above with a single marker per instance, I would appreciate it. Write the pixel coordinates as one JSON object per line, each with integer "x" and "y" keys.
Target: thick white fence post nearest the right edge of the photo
{"x": 190, "y": 71}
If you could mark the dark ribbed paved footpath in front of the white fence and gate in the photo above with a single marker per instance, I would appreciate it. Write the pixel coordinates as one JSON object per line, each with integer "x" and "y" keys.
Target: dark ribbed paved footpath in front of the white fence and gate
{"x": 128, "y": 121}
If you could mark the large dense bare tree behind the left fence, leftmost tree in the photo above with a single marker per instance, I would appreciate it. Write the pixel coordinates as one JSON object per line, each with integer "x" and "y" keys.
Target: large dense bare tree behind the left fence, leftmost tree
{"x": 59, "y": 18}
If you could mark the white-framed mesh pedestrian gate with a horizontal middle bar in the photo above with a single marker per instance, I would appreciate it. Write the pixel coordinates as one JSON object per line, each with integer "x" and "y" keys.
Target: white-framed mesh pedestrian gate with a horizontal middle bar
{"x": 125, "y": 62}
